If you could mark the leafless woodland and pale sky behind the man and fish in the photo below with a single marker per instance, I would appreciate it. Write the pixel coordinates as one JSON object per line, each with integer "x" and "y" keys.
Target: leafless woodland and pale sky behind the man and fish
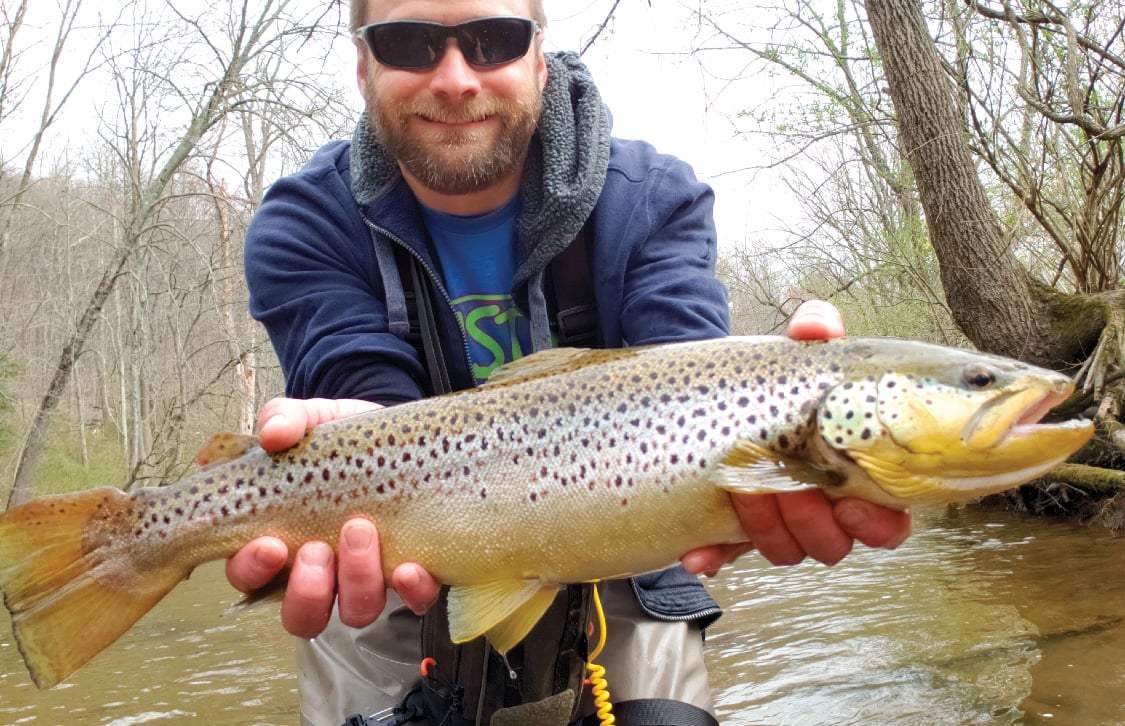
{"x": 947, "y": 172}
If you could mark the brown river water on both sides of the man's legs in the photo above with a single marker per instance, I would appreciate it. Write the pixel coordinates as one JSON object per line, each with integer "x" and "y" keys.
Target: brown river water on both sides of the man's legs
{"x": 982, "y": 617}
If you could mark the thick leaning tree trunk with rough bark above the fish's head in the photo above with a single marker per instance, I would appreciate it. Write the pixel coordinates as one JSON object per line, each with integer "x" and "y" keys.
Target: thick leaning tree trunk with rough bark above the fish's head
{"x": 993, "y": 298}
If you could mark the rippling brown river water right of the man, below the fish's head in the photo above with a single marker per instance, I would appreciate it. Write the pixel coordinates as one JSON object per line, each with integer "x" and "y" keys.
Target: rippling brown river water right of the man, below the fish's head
{"x": 980, "y": 619}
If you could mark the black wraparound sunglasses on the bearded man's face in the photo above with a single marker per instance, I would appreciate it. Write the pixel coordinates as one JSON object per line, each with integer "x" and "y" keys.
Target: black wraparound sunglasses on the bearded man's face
{"x": 418, "y": 46}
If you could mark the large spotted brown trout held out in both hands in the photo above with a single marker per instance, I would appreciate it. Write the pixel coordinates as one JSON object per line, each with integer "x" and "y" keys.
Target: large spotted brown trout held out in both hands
{"x": 570, "y": 467}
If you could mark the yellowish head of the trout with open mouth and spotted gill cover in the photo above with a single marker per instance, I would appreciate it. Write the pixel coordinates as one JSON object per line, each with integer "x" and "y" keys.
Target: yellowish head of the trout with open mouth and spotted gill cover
{"x": 950, "y": 426}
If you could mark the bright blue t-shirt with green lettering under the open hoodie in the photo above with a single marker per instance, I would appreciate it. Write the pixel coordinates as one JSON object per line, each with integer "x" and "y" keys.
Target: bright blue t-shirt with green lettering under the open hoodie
{"x": 479, "y": 259}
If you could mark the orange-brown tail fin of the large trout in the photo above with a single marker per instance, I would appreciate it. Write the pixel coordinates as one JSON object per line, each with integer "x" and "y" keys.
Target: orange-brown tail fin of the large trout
{"x": 68, "y": 582}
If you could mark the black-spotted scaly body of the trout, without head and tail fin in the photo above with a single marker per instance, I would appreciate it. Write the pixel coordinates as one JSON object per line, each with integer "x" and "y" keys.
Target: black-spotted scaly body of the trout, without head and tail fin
{"x": 642, "y": 436}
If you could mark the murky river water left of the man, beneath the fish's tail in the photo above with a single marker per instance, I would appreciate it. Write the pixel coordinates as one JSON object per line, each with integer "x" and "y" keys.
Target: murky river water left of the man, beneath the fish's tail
{"x": 184, "y": 661}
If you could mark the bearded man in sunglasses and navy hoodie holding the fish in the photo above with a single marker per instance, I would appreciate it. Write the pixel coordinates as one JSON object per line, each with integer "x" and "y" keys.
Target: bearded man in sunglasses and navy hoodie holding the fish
{"x": 482, "y": 159}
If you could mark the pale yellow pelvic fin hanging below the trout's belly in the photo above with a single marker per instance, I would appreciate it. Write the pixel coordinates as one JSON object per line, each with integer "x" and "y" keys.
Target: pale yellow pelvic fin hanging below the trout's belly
{"x": 505, "y": 611}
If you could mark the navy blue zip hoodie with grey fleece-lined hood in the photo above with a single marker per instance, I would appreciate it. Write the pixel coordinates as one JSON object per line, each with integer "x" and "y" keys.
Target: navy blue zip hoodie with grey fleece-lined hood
{"x": 319, "y": 274}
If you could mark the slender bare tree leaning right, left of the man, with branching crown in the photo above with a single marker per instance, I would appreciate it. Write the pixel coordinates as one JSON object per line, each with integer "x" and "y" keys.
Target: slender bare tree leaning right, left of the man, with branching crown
{"x": 177, "y": 78}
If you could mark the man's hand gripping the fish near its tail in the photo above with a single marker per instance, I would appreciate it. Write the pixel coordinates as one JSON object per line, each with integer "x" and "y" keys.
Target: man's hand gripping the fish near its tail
{"x": 355, "y": 571}
